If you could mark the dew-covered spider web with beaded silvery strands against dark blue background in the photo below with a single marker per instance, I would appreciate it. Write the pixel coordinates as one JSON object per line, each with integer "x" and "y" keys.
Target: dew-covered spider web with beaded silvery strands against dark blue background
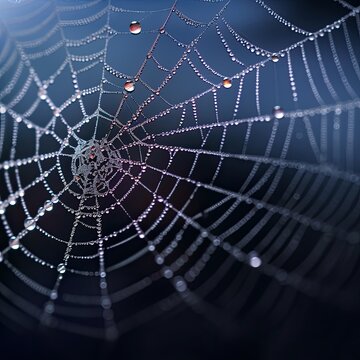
{"x": 117, "y": 207}
